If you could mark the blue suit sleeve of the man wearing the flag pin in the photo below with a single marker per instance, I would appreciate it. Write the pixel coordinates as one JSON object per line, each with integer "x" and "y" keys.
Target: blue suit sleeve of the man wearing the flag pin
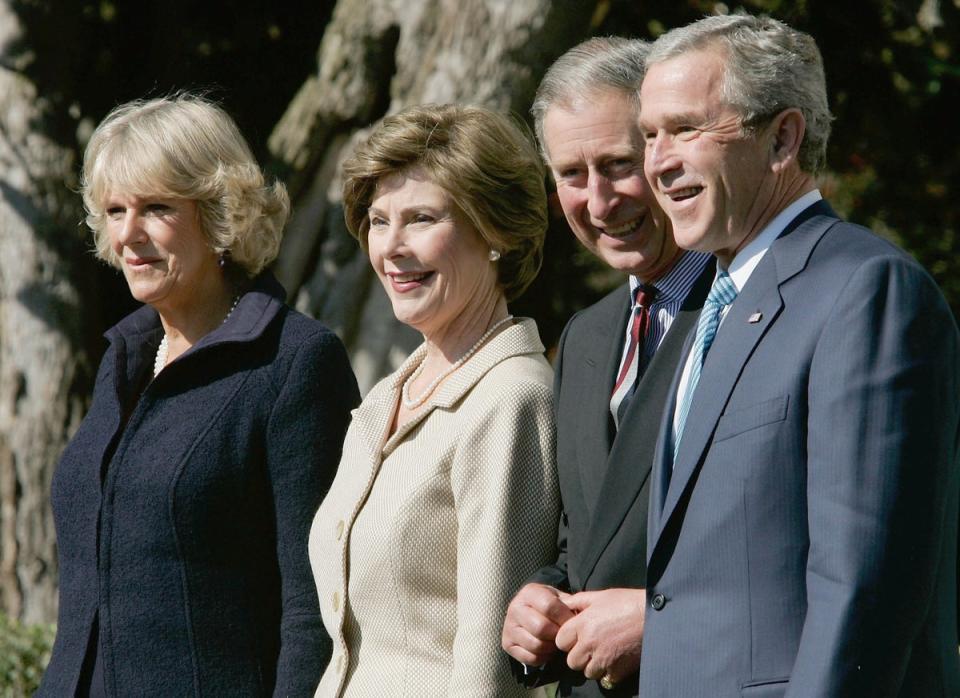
{"x": 882, "y": 488}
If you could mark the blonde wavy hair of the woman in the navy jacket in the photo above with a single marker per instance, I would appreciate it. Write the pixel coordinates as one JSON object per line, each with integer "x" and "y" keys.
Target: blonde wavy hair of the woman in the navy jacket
{"x": 186, "y": 147}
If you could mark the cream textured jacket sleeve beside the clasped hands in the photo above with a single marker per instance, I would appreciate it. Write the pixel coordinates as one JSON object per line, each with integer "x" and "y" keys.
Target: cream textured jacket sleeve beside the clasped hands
{"x": 503, "y": 481}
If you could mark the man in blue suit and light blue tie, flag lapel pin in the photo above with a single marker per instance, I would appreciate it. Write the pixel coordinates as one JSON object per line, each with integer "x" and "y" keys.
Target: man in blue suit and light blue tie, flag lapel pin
{"x": 803, "y": 520}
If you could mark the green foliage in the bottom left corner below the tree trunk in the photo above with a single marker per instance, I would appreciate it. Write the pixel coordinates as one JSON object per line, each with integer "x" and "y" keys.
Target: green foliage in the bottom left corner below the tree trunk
{"x": 24, "y": 652}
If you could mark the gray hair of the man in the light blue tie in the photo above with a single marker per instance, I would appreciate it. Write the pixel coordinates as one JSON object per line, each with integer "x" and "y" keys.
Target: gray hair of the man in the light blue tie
{"x": 769, "y": 67}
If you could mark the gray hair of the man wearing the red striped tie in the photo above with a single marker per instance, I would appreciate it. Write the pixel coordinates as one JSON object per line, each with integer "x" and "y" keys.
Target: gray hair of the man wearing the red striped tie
{"x": 610, "y": 63}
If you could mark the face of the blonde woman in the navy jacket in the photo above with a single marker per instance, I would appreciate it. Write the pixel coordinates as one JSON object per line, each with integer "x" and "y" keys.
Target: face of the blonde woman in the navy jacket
{"x": 164, "y": 254}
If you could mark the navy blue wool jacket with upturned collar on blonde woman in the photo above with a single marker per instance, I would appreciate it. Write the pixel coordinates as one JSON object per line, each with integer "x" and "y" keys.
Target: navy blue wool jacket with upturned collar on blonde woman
{"x": 182, "y": 516}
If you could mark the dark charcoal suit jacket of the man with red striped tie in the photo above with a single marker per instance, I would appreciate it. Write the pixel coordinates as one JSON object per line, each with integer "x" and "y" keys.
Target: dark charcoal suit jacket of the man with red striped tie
{"x": 603, "y": 473}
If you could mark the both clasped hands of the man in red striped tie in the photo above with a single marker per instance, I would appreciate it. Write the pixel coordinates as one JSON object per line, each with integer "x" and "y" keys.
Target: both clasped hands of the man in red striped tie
{"x": 601, "y": 631}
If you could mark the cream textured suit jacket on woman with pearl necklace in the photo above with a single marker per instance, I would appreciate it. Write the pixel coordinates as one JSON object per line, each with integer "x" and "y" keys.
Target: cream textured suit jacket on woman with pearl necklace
{"x": 425, "y": 534}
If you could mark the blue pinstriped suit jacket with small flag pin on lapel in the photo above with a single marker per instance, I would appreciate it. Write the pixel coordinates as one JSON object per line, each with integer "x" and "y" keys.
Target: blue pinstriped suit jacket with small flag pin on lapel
{"x": 804, "y": 542}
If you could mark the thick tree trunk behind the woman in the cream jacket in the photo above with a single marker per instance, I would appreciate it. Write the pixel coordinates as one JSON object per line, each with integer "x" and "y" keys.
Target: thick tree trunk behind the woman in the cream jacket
{"x": 378, "y": 56}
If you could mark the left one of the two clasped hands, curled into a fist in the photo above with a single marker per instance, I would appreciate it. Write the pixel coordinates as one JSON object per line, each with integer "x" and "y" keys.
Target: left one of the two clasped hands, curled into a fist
{"x": 533, "y": 618}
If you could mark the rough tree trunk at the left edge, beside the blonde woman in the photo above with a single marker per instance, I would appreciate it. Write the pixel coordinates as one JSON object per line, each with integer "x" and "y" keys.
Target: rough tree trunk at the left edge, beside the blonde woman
{"x": 44, "y": 376}
